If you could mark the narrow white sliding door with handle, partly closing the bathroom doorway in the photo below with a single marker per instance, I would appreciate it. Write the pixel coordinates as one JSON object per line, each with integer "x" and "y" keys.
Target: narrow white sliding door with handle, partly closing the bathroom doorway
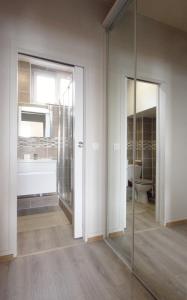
{"x": 78, "y": 151}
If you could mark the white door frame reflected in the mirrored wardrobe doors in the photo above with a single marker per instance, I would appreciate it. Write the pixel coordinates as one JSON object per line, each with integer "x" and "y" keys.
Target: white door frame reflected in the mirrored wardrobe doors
{"x": 160, "y": 145}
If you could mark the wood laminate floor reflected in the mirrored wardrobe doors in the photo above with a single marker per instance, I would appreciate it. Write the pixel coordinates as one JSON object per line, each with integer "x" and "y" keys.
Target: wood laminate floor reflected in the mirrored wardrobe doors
{"x": 160, "y": 253}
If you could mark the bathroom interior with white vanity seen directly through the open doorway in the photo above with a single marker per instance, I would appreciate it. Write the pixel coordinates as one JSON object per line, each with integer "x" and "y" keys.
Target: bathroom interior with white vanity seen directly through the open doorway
{"x": 44, "y": 155}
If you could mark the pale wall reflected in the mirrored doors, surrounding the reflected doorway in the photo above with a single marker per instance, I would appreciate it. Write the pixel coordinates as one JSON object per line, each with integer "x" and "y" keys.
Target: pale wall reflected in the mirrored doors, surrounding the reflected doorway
{"x": 162, "y": 57}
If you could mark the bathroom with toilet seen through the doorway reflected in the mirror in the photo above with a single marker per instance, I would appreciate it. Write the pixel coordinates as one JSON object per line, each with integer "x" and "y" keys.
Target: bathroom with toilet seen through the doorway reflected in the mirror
{"x": 142, "y": 163}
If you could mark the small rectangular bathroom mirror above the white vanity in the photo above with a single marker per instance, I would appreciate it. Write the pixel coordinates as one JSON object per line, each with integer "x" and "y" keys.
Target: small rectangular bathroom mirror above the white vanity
{"x": 34, "y": 121}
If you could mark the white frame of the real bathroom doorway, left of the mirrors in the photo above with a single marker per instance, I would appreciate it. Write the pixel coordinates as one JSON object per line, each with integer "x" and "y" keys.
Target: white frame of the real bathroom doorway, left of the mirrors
{"x": 15, "y": 50}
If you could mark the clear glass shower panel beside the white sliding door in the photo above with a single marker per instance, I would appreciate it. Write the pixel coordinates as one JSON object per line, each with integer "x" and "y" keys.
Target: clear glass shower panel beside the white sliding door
{"x": 65, "y": 155}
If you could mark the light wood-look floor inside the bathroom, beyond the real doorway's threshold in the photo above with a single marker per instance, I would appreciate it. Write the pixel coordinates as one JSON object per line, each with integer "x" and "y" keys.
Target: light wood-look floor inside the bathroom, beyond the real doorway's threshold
{"x": 45, "y": 231}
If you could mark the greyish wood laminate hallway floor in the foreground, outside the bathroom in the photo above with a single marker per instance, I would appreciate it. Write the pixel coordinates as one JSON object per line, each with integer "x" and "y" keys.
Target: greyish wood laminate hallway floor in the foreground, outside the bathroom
{"x": 80, "y": 272}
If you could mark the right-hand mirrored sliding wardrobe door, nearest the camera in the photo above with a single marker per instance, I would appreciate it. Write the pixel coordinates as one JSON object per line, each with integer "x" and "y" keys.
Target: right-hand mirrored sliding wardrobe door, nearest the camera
{"x": 160, "y": 236}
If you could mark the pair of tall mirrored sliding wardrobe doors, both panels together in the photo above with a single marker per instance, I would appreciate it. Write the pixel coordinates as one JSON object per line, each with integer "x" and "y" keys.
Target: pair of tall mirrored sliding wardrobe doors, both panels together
{"x": 146, "y": 200}
